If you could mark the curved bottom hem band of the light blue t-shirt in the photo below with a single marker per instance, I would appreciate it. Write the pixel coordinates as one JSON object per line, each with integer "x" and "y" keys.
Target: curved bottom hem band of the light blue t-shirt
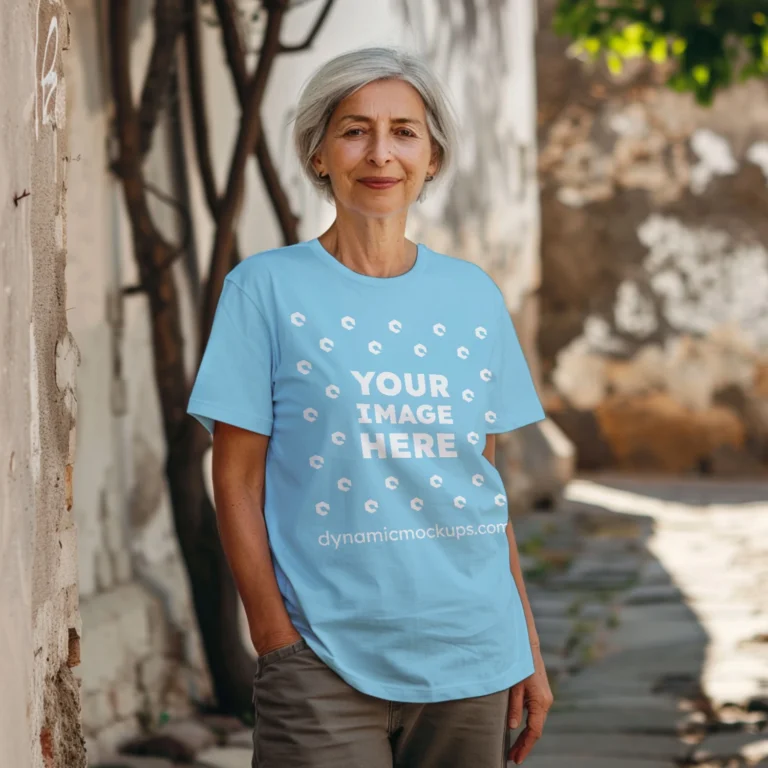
{"x": 427, "y": 695}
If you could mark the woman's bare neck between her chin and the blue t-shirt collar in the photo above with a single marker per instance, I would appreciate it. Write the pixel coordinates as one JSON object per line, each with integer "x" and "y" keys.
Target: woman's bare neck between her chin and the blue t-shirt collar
{"x": 377, "y": 248}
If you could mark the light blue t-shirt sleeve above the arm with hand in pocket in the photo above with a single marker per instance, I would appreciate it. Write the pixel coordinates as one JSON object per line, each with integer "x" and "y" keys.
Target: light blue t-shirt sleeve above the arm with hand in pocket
{"x": 234, "y": 381}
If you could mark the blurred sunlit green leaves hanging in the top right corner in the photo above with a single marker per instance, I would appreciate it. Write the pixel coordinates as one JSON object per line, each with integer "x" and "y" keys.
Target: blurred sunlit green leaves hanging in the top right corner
{"x": 712, "y": 43}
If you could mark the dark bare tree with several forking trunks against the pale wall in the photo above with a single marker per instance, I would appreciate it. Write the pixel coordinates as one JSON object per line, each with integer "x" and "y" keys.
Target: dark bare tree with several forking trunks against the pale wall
{"x": 213, "y": 589}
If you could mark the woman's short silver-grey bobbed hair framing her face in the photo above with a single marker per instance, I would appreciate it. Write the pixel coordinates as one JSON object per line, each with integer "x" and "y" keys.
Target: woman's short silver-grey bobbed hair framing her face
{"x": 342, "y": 76}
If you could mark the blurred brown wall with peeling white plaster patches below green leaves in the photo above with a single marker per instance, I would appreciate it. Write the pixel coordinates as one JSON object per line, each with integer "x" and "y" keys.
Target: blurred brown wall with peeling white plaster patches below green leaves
{"x": 654, "y": 320}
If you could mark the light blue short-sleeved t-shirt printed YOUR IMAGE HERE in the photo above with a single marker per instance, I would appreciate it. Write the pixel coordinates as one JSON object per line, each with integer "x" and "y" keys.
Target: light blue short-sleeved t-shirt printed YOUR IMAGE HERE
{"x": 385, "y": 520}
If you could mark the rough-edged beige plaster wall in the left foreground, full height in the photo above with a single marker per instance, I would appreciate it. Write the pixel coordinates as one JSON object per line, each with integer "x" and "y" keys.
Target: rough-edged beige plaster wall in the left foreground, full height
{"x": 40, "y": 627}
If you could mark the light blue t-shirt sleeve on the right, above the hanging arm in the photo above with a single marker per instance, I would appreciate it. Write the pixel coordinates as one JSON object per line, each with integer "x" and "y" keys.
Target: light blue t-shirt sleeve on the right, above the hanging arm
{"x": 513, "y": 396}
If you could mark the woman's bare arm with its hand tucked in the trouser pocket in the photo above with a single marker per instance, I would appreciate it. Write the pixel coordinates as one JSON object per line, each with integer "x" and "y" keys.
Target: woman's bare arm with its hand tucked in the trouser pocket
{"x": 239, "y": 462}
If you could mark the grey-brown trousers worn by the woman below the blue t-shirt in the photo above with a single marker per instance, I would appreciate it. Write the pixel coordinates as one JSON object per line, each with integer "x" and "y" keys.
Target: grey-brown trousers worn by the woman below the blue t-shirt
{"x": 308, "y": 717}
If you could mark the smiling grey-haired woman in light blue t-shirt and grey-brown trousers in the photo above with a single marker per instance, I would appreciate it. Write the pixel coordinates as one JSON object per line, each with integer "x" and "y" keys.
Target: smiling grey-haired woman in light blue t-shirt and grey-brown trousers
{"x": 354, "y": 385}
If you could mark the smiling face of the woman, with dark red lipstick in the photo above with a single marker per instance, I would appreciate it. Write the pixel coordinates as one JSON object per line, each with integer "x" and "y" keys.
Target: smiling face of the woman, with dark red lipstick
{"x": 377, "y": 149}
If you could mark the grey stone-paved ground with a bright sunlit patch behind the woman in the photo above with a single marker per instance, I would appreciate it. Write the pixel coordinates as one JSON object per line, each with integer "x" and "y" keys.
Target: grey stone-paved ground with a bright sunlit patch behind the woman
{"x": 651, "y": 601}
